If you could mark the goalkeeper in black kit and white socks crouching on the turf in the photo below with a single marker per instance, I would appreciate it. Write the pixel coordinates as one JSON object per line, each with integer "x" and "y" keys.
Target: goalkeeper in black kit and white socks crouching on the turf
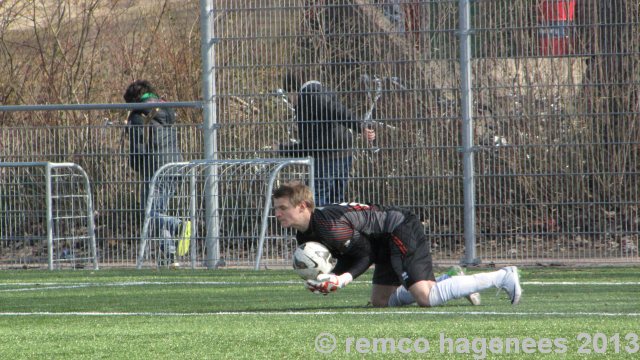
{"x": 392, "y": 239}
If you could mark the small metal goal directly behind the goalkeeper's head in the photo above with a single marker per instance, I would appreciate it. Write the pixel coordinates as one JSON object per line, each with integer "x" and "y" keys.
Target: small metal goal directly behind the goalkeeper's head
{"x": 216, "y": 213}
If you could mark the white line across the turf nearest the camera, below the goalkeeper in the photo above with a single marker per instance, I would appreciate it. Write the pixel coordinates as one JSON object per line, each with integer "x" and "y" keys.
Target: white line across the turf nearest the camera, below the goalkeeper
{"x": 317, "y": 313}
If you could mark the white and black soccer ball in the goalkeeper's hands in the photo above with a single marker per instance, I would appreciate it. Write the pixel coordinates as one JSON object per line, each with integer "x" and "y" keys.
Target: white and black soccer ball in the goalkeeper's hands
{"x": 311, "y": 259}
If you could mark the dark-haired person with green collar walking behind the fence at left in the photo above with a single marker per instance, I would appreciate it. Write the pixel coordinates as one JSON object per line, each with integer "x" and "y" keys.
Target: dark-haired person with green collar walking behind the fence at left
{"x": 153, "y": 142}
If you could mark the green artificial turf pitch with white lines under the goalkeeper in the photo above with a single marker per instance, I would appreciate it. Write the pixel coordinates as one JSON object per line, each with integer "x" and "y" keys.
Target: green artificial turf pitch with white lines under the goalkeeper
{"x": 236, "y": 314}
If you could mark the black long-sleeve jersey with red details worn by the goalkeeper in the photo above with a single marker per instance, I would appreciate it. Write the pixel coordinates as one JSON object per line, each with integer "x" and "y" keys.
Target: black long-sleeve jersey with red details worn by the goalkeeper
{"x": 357, "y": 235}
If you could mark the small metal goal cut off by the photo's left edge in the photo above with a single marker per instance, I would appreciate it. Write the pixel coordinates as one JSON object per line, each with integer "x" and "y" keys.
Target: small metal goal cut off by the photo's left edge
{"x": 46, "y": 216}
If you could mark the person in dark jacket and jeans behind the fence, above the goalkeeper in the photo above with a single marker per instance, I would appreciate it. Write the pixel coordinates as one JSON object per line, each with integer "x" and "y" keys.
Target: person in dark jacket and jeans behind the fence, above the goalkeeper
{"x": 325, "y": 132}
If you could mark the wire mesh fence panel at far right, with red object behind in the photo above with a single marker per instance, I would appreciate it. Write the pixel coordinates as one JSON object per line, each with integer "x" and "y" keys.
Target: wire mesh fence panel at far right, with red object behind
{"x": 556, "y": 126}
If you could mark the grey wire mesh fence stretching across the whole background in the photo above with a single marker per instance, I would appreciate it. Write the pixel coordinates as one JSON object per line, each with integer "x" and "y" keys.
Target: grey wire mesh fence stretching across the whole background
{"x": 555, "y": 111}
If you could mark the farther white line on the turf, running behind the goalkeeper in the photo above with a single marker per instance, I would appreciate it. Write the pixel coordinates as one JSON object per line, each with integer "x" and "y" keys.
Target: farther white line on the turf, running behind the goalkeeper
{"x": 59, "y": 286}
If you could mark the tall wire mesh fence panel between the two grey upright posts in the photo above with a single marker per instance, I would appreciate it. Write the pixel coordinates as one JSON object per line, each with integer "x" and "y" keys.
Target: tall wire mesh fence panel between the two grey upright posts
{"x": 376, "y": 57}
